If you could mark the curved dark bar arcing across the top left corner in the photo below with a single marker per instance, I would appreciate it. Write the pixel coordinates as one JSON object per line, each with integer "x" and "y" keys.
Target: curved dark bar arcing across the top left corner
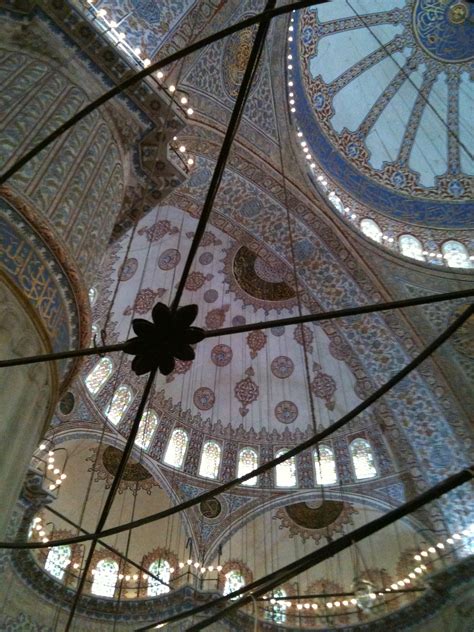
{"x": 119, "y": 88}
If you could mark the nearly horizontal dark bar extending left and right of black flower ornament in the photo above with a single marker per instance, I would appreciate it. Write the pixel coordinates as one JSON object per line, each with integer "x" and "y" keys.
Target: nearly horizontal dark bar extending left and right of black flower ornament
{"x": 213, "y": 333}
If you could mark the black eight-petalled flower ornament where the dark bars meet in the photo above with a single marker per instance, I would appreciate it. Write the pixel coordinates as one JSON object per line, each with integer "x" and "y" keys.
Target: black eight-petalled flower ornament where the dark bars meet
{"x": 169, "y": 336}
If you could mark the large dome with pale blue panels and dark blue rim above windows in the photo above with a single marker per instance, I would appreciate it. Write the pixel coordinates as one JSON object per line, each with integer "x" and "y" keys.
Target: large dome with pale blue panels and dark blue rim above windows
{"x": 382, "y": 92}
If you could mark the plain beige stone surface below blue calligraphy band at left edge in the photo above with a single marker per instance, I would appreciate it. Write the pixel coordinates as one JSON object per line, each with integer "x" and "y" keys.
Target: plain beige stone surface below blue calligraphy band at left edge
{"x": 27, "y": 395}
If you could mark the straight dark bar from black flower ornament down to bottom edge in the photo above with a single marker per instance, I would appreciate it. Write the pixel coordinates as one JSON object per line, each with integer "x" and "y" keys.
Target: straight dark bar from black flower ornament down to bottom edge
{"x": 111, "y": 496}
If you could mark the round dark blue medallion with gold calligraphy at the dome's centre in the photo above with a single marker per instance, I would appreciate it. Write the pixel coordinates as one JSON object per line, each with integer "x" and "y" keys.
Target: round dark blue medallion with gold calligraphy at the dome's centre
{"x": 445, "y": 30}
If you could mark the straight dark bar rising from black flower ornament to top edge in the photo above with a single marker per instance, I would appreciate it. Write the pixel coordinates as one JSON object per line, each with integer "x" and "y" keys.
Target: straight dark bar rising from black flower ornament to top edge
{"x": 227, "y": 143}
